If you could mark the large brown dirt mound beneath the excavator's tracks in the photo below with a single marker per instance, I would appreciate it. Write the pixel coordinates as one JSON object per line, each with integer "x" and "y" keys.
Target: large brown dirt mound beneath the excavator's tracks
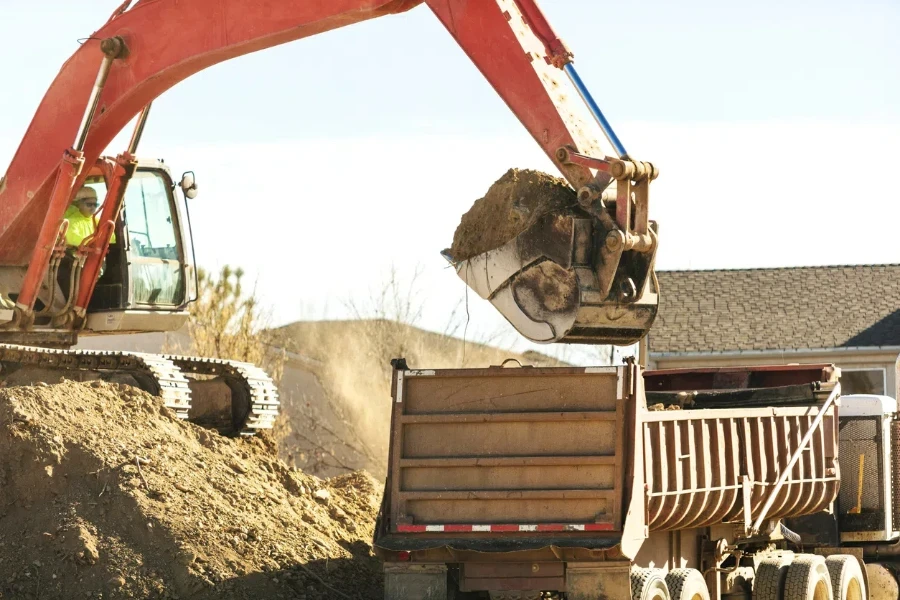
{"x": 104, "y": 494}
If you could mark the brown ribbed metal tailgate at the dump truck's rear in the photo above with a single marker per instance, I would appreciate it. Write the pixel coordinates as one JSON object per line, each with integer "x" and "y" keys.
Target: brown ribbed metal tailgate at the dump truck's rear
{"x": 507, "y": 450}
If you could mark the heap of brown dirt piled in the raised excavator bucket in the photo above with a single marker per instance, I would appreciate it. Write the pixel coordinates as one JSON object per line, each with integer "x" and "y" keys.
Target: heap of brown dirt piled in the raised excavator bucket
{"x": 513, "y": 204}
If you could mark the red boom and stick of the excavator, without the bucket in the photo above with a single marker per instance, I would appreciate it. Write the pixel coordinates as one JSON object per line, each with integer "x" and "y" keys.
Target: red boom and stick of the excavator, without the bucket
{"x": 166, "y": 42}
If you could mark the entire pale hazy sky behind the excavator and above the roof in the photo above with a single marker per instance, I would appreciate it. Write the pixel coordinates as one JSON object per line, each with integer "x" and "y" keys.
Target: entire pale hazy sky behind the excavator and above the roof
{"x": 776, "y": 126}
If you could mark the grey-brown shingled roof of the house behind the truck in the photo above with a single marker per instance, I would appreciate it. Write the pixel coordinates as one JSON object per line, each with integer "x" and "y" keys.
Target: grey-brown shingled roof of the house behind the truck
{"x": 777, "y": 309}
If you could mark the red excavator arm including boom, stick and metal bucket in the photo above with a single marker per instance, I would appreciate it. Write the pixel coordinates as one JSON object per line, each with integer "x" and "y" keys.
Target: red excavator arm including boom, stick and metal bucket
{"x": 145, "y": 49}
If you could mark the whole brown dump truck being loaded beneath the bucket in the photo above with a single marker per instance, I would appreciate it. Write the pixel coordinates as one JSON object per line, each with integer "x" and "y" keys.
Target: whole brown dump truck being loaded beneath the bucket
{"x": 615, "y": 482}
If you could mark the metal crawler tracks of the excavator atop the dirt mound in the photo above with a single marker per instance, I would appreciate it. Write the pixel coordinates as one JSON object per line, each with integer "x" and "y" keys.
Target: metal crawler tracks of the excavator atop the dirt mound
{"x": 254, "y": 401}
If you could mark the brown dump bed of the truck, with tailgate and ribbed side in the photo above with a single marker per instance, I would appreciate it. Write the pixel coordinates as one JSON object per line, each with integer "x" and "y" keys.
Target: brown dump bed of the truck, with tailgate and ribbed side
{"x": 563, "y": 474}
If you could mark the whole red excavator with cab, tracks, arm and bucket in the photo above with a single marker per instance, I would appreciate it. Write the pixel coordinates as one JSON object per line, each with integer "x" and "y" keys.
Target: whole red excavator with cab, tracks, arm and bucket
{"x": 583, "y": 275}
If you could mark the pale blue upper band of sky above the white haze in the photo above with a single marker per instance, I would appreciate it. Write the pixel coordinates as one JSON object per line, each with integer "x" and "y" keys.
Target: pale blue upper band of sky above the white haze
{"x": 701, "y": 60}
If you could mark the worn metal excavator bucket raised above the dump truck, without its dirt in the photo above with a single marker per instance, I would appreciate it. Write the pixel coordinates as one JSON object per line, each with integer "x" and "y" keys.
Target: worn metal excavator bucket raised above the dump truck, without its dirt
{"x": 574, "y": 276}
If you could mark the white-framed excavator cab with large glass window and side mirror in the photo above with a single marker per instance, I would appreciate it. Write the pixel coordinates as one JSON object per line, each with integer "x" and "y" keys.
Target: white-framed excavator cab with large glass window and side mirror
{"x": 149, "y": 276}
